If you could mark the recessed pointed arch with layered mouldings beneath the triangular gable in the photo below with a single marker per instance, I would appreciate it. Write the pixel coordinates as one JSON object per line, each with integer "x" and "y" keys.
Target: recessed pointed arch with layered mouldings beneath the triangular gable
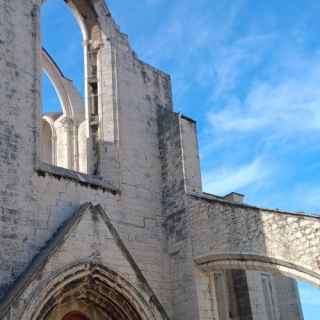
{"x": 89, "y": 290}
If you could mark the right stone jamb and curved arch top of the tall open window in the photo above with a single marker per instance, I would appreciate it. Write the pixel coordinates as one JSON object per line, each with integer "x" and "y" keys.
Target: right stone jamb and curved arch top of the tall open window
{"x": 100, "y": 100}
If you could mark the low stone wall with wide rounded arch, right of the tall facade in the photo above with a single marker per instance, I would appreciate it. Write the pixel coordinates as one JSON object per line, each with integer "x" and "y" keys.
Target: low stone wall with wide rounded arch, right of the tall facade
{"x": 220, "y": 235}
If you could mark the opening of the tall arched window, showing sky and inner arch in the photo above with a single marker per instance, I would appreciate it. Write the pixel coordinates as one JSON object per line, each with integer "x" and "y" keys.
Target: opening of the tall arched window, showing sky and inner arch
{"x": 60, "y": 124}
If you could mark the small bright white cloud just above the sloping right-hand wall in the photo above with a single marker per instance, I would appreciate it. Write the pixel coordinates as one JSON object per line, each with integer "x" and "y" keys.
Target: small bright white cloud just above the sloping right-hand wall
{"x": 223, "y": 180}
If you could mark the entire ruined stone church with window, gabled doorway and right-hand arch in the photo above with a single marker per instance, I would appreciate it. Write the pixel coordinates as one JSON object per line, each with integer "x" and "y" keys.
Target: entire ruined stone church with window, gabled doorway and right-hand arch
{"x": 102, "y": 214}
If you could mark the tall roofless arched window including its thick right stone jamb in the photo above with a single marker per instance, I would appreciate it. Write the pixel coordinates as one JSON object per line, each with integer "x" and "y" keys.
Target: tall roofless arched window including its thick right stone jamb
{"x": 77, "y": 49}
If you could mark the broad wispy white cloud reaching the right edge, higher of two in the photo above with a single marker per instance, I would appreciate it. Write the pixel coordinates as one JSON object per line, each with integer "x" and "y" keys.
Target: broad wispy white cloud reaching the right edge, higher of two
{"x": 283, "y": 105}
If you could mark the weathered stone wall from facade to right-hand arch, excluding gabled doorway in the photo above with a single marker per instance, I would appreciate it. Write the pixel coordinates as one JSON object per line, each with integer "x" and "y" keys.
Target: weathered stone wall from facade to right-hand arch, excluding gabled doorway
{"x": 148, "y": 165}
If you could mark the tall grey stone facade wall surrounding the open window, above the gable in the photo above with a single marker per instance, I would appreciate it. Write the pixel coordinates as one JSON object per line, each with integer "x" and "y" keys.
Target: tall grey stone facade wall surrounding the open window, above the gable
{"x": 34, "y": 206}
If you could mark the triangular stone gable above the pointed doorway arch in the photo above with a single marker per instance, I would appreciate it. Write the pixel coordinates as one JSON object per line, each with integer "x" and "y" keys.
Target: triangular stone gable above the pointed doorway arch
{"x": 85, "y": 222}
